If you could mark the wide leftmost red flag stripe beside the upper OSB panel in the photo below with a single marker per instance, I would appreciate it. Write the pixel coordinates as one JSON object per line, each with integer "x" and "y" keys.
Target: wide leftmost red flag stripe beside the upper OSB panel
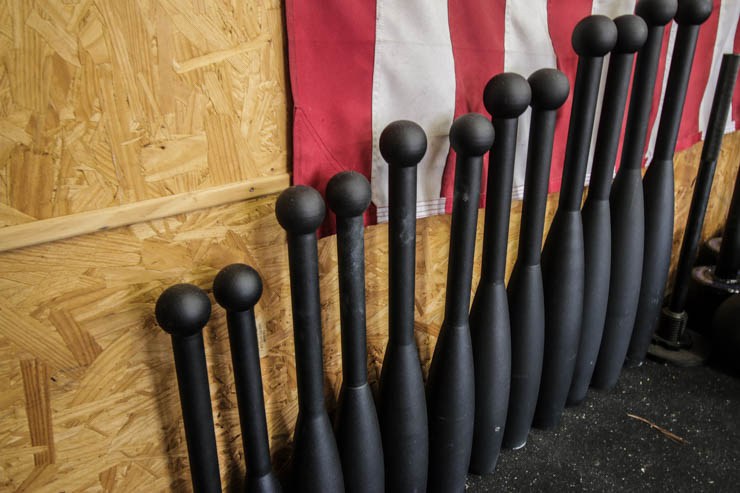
{"x": 331, "y": 53}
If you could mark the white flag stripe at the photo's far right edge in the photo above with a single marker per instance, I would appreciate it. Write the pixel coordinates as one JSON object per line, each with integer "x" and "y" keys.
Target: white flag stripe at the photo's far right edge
{"x": 729, "y": 13}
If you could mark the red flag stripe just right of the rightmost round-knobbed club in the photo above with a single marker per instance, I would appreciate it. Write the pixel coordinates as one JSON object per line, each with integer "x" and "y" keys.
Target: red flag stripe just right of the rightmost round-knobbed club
{"x": 689, "y": 132}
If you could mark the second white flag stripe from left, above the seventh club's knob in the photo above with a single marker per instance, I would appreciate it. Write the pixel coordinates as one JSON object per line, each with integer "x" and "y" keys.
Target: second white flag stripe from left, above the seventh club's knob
{"x": 527, "y": 48}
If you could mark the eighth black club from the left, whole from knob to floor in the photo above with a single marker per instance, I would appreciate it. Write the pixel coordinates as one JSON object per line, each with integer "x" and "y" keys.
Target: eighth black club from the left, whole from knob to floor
{"x": 525, "y": 293}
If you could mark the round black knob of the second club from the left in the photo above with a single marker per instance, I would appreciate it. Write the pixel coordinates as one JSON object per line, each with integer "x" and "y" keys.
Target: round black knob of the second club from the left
{"x": 237, "y": 287}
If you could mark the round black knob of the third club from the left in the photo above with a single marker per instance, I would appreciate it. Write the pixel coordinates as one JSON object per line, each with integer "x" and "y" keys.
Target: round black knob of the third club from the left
{"x": 300, "y": 209}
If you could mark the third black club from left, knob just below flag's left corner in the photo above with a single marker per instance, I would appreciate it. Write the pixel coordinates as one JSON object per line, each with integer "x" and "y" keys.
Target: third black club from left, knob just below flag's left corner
{"x": 316, "y": 464}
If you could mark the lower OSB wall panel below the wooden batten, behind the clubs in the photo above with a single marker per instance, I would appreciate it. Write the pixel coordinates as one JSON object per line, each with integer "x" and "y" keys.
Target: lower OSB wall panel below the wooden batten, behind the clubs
{"x": 90, "y": 398}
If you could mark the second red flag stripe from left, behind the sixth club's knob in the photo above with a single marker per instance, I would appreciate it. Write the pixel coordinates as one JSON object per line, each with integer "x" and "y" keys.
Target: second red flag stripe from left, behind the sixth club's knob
{"x": 477, "y": 35}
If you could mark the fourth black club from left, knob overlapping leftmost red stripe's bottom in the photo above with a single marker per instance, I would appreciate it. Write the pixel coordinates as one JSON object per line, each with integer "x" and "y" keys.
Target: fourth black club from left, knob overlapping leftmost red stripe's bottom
{"x": 356, "y": 424}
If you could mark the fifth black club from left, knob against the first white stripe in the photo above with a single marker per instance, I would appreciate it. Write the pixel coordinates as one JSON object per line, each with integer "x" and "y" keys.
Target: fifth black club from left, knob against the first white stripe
{"x": 402, "y": 407}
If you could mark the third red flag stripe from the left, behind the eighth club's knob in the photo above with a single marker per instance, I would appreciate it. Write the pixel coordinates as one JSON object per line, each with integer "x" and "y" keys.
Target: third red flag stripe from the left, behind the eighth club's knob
{"x": 561, "y": 22}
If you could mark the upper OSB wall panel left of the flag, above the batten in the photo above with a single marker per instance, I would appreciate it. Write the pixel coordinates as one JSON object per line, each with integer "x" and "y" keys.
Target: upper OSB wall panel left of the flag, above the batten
{"x": 94, "y": 93}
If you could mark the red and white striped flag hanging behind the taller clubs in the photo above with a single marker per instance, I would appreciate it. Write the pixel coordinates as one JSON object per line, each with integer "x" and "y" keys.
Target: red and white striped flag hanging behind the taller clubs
{"x": 357, "y": 65}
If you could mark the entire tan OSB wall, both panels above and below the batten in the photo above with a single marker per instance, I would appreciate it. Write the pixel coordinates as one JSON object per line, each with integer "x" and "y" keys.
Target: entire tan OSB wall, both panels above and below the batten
{"x": 106, "y": 105}
